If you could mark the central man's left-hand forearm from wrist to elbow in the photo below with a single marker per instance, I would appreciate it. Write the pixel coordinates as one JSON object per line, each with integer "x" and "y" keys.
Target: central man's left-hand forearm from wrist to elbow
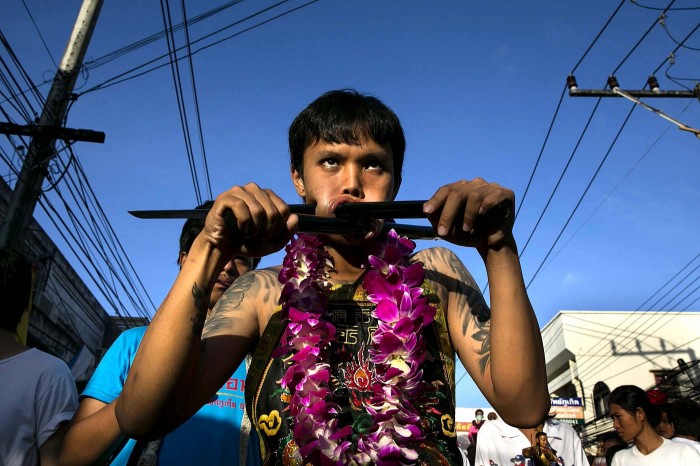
{"x": 153, "y": 400}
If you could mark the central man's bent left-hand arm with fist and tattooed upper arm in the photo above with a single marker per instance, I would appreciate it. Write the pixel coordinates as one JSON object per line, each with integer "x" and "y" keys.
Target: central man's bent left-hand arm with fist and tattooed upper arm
{"x": 176, "y": 371}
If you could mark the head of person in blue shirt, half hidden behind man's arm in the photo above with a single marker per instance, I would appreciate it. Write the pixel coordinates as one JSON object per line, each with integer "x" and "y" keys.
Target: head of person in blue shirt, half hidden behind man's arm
{"x": 237, "y": 266}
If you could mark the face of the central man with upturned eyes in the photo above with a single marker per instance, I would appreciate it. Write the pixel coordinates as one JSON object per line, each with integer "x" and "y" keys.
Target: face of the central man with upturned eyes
{"x": 336, "y": 174}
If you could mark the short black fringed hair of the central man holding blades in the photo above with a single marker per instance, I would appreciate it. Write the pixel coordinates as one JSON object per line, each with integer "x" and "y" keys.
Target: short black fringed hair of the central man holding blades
{"x": 346, "y": 117}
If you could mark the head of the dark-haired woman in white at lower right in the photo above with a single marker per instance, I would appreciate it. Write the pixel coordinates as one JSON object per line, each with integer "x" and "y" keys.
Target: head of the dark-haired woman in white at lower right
{"x": 632, "y": 412}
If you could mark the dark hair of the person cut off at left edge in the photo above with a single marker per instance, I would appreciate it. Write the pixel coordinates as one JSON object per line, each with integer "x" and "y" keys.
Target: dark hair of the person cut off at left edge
{"x": 15, "y": 286}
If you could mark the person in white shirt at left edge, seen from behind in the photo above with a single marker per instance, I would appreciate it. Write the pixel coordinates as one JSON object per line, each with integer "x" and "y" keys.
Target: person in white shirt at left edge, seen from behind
{"x": 38, "y": 391}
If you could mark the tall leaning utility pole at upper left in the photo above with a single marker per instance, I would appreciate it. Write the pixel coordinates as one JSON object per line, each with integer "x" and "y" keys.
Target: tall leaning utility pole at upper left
{"x": 42, "y": 146}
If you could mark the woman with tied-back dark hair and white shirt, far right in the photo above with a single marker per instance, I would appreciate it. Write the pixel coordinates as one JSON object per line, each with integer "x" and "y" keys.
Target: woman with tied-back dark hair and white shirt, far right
{"x": 633, "y": 419}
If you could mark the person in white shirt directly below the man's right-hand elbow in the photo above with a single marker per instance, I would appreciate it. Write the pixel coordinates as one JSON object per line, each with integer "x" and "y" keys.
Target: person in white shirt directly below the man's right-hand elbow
{"x": 502, "y": 445}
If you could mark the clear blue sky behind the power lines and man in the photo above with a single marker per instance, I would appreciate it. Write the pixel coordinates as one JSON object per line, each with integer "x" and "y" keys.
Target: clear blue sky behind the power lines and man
{"x": 475, "y": 84}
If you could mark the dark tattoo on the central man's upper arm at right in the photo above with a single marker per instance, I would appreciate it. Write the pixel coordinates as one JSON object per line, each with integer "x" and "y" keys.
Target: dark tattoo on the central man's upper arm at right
{"x": 471, "y": 306}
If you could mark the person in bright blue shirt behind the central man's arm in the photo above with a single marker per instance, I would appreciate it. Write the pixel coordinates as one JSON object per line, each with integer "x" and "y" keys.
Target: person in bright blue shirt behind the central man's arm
{"x": 219, "y": 433}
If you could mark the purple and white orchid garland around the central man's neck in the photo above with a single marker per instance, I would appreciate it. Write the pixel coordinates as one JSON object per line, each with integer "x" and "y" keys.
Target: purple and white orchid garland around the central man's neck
{"x": 397, "y": 351}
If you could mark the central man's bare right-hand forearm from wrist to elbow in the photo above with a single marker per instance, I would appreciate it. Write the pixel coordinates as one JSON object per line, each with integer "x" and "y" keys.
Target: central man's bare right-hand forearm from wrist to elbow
{"x": 517, "y": 358}
